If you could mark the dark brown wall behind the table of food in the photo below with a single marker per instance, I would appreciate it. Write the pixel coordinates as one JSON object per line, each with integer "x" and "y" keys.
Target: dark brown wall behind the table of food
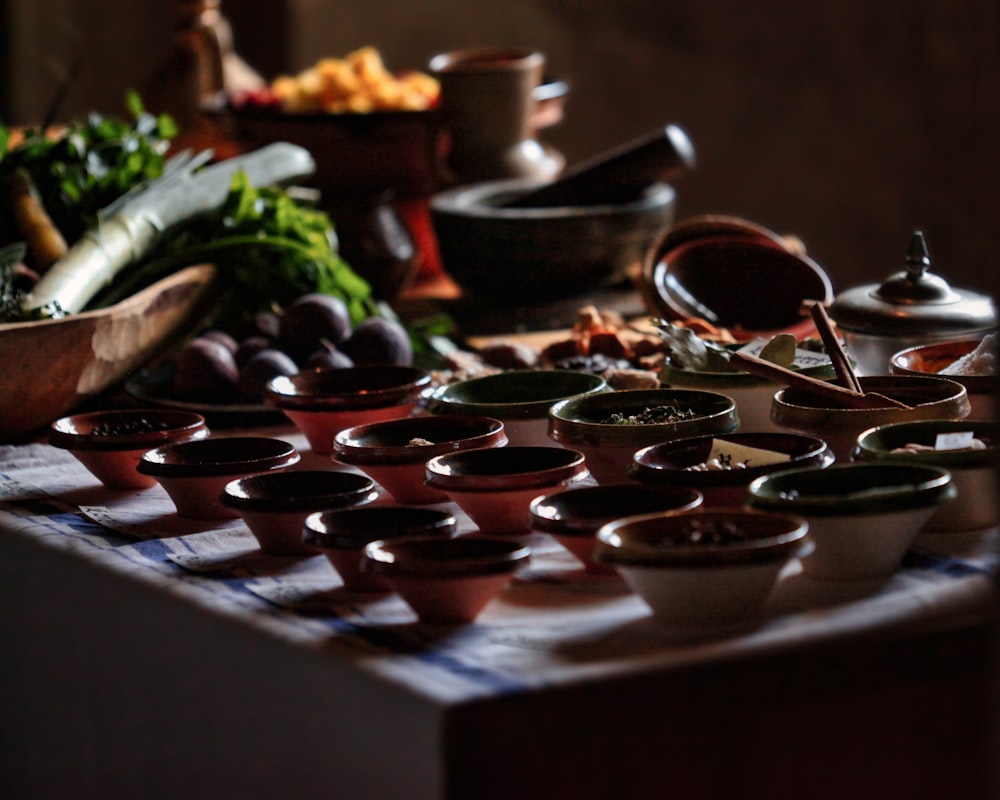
{"x": 847, "y": 124}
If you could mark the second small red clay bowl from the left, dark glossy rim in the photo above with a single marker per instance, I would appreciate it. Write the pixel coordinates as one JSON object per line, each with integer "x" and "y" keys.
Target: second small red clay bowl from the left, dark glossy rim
{"x": 195, "y": 474}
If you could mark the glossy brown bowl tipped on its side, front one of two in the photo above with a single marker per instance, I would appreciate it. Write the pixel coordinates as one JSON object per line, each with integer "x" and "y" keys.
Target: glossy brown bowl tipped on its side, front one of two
{"x": 752, "y": 285}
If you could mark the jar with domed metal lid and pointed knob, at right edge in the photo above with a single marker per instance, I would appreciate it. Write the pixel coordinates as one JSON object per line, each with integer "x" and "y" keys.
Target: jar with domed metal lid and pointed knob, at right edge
{"x": 909, "y": 308}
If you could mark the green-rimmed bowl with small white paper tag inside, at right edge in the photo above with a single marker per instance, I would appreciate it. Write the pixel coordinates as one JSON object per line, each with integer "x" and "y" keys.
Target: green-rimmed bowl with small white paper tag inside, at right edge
{"x": 973, "y": 471}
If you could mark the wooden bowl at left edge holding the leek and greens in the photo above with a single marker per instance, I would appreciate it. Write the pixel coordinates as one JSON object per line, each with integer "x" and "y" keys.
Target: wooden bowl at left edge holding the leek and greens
{"x": 50, "y": 367}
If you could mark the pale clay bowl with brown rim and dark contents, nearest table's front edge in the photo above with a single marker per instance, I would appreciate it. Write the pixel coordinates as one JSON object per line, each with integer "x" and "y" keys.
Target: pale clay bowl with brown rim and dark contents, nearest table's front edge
{"x": 706, "y": 572}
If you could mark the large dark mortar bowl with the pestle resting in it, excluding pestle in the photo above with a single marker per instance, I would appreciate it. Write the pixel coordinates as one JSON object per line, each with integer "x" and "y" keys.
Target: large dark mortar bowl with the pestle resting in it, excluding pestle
{"x": 512, "y": 255}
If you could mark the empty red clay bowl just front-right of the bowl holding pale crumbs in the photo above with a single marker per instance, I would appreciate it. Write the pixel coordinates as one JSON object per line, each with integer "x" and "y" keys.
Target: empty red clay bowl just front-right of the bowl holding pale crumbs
{"x": 495, "y": 486}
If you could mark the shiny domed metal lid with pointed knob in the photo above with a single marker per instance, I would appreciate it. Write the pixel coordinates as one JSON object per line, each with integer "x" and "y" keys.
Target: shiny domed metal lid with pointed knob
{"x": 913, "y": 302}
